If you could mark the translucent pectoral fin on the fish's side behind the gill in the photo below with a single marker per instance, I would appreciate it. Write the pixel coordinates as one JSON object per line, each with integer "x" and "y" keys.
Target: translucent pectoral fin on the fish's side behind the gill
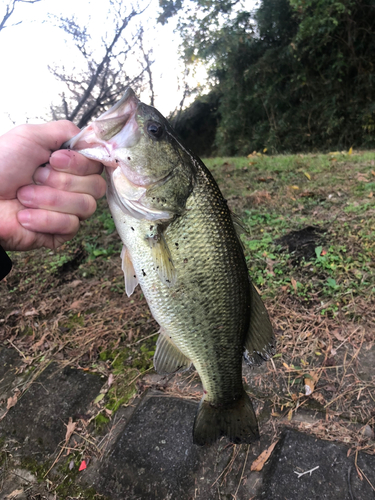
{"x": 161, "y": 256}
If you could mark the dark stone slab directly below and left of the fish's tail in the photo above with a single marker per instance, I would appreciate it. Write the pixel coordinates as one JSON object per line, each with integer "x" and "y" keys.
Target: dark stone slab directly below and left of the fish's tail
{"x": 154, "y": 458}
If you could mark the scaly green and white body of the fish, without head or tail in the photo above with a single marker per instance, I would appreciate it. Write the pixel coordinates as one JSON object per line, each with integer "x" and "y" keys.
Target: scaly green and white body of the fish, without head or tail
{"x": 211, "y": 281}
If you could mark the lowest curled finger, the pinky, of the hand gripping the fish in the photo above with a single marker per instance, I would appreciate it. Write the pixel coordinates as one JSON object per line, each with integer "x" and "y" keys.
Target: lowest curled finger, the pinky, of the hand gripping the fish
{"x": 48, "y": 222}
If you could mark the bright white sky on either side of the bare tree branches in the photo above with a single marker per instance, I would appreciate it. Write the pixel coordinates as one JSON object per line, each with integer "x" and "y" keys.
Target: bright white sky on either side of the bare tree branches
{"x": 27, "y": 86}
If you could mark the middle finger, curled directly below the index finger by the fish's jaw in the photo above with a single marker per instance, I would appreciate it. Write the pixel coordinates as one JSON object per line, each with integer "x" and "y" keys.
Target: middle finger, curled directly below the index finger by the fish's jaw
{"x": 93, "y": 184}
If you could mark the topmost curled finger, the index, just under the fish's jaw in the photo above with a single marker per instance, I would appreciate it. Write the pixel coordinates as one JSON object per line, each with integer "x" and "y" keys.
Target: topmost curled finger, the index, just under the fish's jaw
{"x": 74, "y": 163}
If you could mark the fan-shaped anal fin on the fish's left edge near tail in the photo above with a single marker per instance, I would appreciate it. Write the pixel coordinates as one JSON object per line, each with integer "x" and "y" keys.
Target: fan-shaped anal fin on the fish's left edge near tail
{"x": 168, "y": 358}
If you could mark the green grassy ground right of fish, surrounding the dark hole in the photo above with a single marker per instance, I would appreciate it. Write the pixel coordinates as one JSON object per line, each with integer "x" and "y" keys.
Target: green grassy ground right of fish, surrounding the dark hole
{"x": 277, "y": 195}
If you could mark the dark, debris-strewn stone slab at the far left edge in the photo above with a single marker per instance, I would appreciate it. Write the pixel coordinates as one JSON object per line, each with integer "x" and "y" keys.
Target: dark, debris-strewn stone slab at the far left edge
{"x": 37, "y": 421}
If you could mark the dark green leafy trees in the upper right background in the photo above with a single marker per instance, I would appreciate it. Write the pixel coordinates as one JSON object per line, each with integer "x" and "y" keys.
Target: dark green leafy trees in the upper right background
{"x": 293, "y": 75}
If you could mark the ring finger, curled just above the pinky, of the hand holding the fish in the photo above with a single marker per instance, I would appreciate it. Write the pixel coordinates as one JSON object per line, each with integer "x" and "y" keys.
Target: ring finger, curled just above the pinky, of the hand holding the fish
{"x": 44, "y": 197}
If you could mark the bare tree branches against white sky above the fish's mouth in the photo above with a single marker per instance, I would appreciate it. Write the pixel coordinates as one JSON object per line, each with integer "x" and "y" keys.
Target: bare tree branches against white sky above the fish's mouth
{"x": 100, "y": 85}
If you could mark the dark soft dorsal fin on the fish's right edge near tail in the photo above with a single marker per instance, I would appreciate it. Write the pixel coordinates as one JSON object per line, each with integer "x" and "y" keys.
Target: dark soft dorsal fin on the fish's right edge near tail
{"x": 260, "y": 340}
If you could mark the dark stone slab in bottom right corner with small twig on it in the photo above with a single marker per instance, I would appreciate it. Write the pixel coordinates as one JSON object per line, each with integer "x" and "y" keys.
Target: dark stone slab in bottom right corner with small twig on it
{"x": 335, "y": 479}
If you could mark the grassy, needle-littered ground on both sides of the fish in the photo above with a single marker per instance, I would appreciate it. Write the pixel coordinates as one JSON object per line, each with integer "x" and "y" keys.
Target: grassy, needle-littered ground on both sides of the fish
{"x": 310, "y": 248}
